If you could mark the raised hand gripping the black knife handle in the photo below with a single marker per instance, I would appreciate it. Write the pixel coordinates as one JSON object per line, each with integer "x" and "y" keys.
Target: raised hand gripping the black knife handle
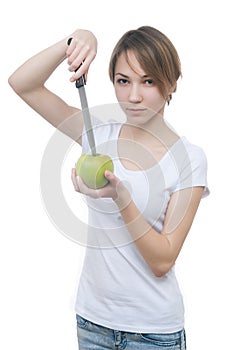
{"x": 82, "y": 50}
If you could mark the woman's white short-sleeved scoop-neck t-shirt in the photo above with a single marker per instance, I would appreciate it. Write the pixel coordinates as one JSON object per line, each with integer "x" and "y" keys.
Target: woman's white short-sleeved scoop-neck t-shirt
{"x": 117, "y": 288}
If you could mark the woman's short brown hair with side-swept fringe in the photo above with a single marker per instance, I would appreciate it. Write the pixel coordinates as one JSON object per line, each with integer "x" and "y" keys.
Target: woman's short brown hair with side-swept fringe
{"x": 155, "y": 53}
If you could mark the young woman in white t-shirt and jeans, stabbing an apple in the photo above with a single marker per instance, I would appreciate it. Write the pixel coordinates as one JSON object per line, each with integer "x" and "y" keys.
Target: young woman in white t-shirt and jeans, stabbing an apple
{"x": 128, "y": 295}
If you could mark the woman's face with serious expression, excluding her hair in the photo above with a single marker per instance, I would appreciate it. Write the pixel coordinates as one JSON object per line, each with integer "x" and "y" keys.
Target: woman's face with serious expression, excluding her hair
{"x": 136, "y": 92}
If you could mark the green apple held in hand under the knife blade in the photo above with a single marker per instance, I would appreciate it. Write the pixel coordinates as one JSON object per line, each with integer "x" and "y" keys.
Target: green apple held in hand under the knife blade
{"x": 91, "y": 169}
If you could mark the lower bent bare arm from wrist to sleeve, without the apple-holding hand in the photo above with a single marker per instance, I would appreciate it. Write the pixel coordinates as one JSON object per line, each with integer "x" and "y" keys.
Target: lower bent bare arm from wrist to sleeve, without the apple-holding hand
{"x": 160, "y": 250}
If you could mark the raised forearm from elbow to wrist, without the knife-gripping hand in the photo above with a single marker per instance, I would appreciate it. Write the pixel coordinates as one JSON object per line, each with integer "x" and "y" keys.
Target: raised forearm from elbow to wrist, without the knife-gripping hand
{"x": 35, "y": 71}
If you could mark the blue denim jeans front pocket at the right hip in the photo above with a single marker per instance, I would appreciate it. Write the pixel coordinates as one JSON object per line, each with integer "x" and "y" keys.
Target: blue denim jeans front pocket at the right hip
{"x": 164, "y": 341}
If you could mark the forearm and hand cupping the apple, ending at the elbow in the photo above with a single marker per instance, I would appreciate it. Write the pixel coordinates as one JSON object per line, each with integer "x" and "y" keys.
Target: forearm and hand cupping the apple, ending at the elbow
{"x": 154, "y": 247}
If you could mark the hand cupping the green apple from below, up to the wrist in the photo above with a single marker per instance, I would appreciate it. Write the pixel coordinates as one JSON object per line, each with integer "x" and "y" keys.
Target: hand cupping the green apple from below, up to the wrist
{"x": 114, "y": 189}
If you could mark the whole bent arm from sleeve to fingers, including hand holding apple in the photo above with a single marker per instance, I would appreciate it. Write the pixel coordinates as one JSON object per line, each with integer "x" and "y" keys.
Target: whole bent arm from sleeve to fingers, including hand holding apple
{"x": 160, "y": 250}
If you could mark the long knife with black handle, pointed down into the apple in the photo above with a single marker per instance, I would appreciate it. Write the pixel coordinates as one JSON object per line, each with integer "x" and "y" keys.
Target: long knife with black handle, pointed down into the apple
{"x": 80, "y": 85}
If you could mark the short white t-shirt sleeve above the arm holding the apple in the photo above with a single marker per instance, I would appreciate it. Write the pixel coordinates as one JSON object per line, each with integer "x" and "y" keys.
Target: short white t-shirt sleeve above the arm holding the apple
{"x": 193, "y": 170}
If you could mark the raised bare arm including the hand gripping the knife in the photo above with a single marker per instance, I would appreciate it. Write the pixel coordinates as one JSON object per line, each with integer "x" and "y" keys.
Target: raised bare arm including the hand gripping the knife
{"x": 28, "y": 81}
